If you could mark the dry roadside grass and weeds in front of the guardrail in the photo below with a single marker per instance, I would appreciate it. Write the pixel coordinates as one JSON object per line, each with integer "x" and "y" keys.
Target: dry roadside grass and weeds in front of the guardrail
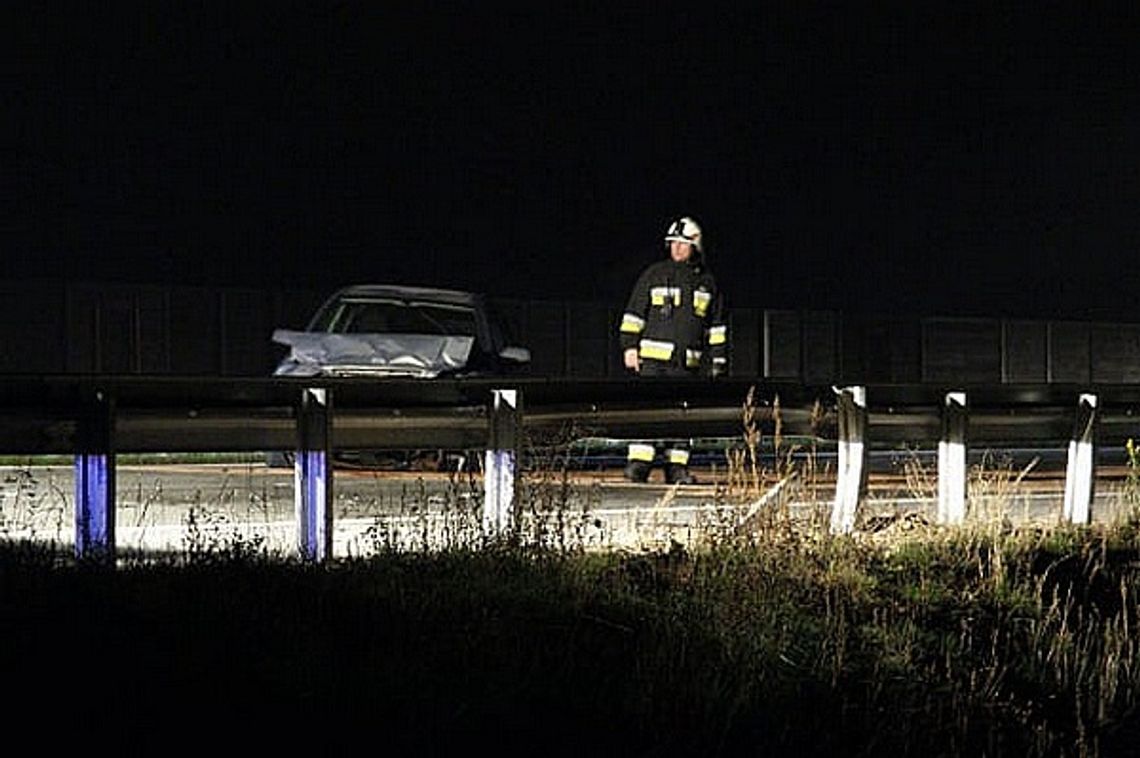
{"x": 775, "y": 640}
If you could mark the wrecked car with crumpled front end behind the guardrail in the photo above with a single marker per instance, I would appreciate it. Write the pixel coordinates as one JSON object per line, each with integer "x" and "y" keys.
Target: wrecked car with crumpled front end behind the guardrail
{"x": 397, "y": 331}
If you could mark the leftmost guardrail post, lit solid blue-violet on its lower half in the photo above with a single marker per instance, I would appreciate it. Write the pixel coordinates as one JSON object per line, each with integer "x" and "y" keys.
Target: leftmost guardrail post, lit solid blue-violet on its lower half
{"x": 95, "y": 479}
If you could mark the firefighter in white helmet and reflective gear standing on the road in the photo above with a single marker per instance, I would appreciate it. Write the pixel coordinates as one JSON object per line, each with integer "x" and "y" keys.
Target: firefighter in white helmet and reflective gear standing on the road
{"x": 674, "y": 325}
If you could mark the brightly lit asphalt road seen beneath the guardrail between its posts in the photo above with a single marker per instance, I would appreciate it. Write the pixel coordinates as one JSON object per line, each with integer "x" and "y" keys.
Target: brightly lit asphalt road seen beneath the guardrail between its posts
{"x": 217, "y": 508}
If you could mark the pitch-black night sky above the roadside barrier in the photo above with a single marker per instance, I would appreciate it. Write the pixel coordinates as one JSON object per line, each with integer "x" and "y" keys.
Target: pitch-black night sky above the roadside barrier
{"x": 947, "y": 161}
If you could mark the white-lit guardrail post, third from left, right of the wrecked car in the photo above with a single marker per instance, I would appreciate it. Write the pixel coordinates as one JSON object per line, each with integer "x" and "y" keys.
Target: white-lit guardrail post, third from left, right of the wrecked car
{"x": 501, "y": 463}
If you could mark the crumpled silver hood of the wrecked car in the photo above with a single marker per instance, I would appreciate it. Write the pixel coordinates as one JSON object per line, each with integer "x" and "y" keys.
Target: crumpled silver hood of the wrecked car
{"x": 373, "y": 355}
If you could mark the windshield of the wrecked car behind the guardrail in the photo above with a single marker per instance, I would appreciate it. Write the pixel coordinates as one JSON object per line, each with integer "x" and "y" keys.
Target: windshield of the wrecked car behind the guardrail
{"x": 392, "y": 316}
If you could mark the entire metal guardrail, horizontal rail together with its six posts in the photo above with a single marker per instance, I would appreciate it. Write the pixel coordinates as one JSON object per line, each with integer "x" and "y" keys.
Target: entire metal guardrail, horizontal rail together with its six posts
{"x": 95, "y": 418}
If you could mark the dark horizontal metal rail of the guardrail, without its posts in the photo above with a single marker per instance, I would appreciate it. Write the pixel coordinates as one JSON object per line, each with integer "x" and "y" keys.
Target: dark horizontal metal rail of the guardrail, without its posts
{"x": 42, "y": 414}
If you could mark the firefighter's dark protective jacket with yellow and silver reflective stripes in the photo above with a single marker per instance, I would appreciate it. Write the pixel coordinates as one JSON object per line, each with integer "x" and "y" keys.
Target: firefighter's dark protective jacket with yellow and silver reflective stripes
{"x": 675, "y": 315}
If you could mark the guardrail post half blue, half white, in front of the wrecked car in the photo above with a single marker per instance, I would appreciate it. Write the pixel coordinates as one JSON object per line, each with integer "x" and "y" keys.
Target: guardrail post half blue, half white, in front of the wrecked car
{"x": 313, "y": 476}
